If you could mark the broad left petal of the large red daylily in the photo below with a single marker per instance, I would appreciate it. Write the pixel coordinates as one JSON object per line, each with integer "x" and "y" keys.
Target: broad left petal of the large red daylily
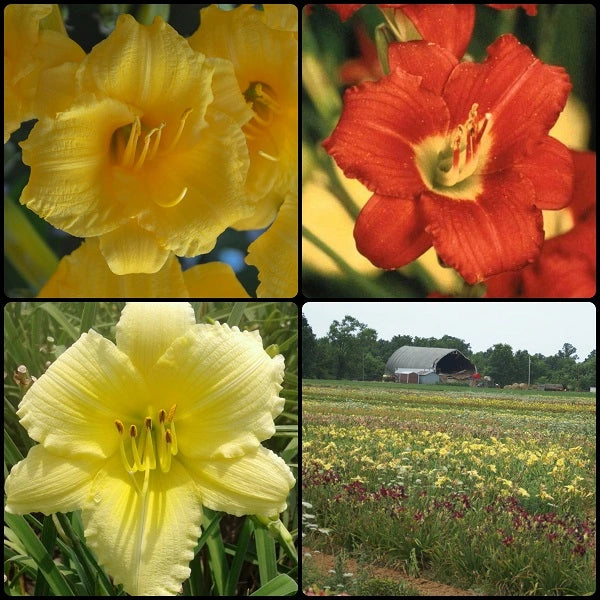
{"x": 379, "y": 124}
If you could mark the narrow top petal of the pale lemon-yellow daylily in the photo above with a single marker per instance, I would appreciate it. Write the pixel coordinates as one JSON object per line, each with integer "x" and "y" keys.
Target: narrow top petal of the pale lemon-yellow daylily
{"x": 146, "y": 329}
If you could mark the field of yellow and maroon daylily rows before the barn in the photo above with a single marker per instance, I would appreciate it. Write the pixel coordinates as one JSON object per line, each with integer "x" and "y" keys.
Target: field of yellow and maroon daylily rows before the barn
{"x": 488, "y": 490}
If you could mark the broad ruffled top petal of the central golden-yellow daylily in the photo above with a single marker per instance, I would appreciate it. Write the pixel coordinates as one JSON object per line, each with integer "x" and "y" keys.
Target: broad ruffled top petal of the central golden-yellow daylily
{"x": 151, "y": 67}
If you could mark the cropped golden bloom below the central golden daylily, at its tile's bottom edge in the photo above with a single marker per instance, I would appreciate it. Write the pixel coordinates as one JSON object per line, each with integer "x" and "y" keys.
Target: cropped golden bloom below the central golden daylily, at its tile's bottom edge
{"x": 85, "y": 274}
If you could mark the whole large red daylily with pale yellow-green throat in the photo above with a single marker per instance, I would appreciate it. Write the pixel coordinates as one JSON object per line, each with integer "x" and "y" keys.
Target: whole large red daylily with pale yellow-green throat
{"x": 458, "y": 156}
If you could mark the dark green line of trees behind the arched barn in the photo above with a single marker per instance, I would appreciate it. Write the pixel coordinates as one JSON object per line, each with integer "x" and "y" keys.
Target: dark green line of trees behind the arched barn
{"x": 351, "y": 350}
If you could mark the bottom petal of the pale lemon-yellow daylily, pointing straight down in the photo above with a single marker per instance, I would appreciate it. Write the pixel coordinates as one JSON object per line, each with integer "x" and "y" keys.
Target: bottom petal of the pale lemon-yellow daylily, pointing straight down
{"x": 145, "y": 543}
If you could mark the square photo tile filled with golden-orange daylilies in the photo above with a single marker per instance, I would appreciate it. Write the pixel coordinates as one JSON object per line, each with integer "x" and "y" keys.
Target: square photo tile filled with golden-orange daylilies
{"x": 163, "y": 164}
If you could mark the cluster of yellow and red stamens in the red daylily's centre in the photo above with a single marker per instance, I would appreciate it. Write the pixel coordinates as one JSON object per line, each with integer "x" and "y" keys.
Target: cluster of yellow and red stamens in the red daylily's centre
{"x": 462, "y": 158}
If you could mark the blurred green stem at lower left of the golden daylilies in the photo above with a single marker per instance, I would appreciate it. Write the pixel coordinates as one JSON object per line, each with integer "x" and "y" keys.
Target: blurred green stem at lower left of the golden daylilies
{"x": 25, "y": 248}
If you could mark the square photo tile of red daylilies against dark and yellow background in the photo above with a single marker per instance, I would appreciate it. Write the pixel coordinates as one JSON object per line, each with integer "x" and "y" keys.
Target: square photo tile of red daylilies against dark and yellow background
{"x": 465, "y": 130}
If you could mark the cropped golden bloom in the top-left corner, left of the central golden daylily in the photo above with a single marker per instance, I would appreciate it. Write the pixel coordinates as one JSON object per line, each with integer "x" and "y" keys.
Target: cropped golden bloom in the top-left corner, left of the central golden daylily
{"x": 34, "y": 40}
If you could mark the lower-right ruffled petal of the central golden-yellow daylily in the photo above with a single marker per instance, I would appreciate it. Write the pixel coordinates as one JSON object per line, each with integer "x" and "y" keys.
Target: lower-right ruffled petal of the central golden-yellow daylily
{"x": 213, "y": 171}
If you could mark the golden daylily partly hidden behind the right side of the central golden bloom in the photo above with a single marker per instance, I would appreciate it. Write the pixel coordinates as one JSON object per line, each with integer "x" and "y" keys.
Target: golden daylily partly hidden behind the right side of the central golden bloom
{"x": 264, "y": 53}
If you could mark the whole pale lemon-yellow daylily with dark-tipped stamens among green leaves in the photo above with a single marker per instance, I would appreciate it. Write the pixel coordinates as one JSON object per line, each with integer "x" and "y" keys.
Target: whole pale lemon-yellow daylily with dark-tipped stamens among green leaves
{"x": 105, "y": 415}
